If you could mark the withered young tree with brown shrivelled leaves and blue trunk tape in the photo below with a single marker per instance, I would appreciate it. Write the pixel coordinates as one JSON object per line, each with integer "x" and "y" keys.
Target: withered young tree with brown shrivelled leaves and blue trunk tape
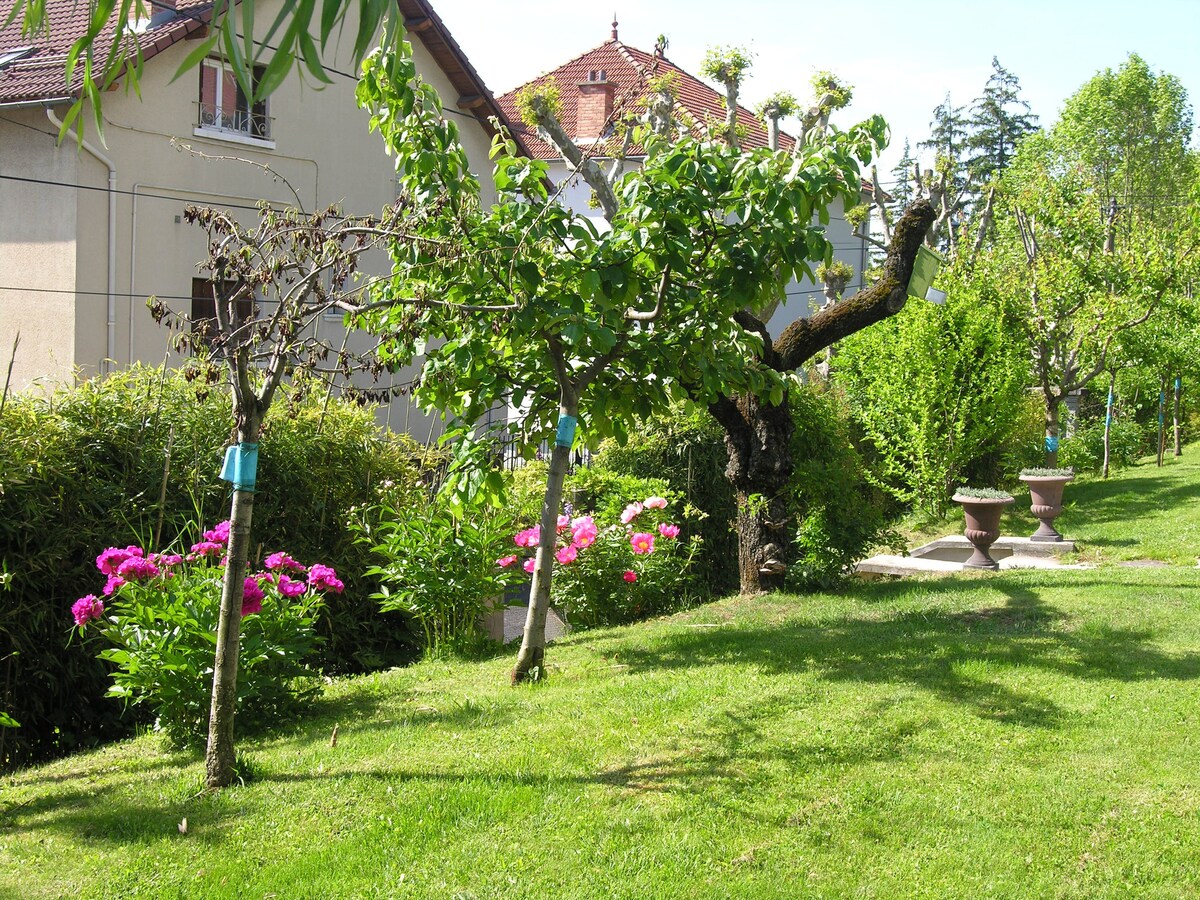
{"x": 271, "y": 281}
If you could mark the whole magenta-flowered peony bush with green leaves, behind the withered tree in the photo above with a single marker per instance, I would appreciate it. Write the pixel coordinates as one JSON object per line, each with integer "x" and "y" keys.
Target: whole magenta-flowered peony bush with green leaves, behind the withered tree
{"x": 157, "y": 621}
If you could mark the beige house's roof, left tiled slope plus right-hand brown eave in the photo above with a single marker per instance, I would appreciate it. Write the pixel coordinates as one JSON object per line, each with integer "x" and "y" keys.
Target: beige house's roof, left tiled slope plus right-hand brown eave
{"x": 37, "y": 76}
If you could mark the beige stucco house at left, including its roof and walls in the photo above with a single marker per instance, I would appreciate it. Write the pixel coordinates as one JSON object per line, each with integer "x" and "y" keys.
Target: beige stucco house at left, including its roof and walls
{"x": 87, "y": 235}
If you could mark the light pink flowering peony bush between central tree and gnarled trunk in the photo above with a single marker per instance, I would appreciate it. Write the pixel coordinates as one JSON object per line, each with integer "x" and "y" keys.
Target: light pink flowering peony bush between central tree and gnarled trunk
{"x": 617, "y": 573}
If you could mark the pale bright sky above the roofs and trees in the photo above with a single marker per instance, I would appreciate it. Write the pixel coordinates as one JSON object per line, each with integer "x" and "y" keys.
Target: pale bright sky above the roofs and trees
{"x": 902, "y": 58}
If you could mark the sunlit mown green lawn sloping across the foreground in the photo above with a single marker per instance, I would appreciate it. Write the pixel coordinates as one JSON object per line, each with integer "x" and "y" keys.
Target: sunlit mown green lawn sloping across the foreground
{"x": 1022, "y": 735}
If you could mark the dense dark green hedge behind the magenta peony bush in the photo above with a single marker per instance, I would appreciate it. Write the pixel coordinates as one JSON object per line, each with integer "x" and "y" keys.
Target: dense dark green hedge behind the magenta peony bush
{"x": 87, "y": 467}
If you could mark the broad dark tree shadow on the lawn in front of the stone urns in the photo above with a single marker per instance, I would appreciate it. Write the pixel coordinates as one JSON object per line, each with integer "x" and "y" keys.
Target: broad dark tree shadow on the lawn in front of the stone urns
{"x": 952, "y": 656}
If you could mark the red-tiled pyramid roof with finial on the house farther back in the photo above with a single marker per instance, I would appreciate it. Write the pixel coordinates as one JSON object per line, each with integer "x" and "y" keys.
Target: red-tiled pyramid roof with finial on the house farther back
{"x": 628, "y": 69}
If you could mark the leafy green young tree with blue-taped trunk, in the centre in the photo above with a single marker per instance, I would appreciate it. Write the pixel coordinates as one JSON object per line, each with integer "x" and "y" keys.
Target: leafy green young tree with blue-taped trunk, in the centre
{"x": 602, "y": 328}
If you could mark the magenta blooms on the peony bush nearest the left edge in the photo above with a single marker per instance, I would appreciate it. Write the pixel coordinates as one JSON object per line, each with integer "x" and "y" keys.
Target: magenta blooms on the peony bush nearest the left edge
{"x": 134, "y": 566}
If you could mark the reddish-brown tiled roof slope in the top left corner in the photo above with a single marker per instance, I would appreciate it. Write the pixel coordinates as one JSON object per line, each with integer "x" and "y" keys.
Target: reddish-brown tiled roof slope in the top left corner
{"x": 40, "y": 76}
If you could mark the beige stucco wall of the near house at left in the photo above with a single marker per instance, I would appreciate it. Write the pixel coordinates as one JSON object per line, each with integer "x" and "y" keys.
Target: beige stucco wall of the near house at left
{"x": 57, "y": 238}
